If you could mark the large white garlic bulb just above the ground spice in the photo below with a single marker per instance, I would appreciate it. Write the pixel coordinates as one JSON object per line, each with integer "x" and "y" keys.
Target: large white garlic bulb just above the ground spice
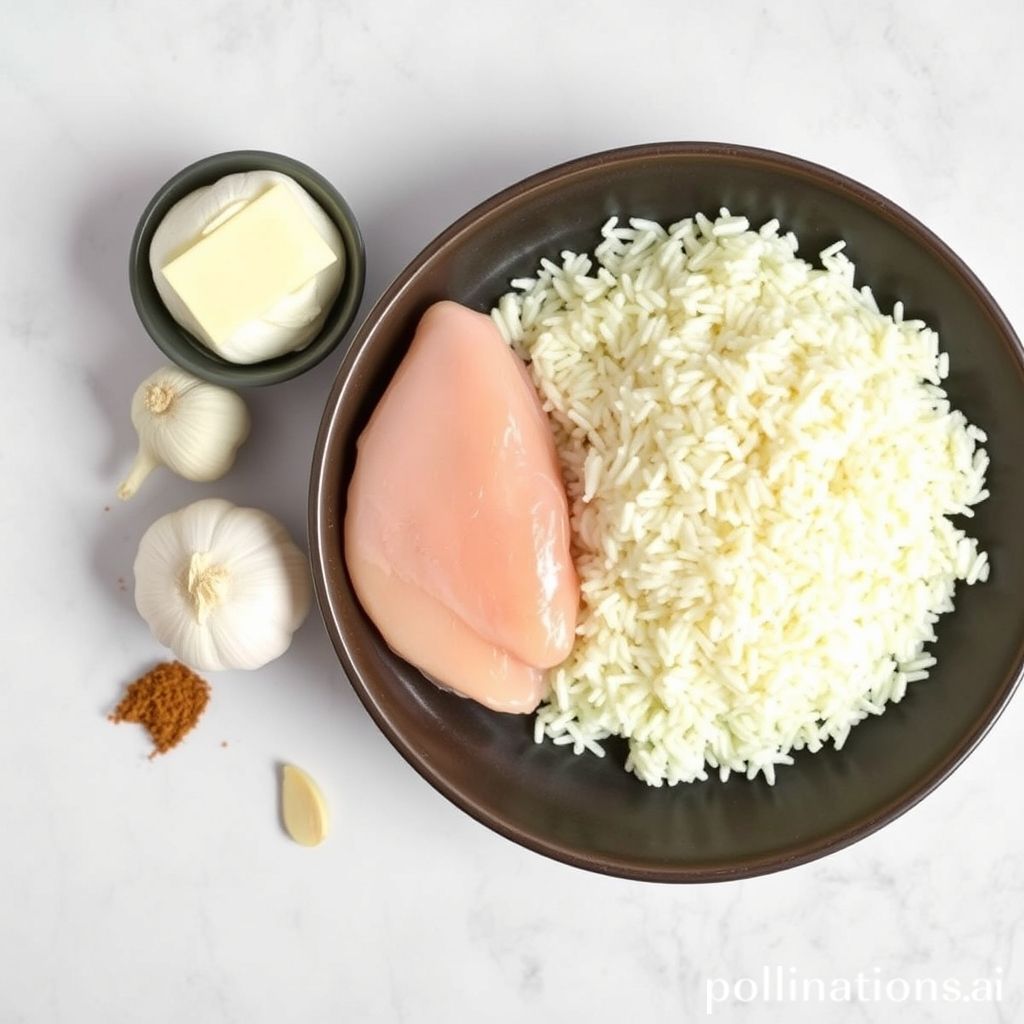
{"x": 223, "y": 587}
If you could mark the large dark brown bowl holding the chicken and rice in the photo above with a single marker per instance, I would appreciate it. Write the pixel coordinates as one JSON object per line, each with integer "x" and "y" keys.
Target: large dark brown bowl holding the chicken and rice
{"x": 587, "y": 812}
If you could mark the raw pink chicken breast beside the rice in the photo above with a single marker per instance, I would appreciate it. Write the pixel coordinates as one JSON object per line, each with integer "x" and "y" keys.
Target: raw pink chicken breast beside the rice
{"x": 457, "y": 535}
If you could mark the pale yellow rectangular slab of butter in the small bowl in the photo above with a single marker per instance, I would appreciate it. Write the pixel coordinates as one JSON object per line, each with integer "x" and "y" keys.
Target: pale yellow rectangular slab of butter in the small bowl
{"x": 247, "y": 265}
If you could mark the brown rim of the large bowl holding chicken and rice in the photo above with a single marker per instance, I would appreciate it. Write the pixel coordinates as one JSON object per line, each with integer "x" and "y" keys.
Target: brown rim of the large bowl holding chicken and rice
{"x": 322, "y": 531}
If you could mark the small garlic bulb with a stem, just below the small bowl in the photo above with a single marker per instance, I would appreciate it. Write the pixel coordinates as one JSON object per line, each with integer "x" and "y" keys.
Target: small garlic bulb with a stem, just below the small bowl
{"x": 190, "y": 426}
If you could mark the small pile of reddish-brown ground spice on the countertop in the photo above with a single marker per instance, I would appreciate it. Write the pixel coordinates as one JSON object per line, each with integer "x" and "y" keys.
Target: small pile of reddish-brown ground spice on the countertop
{"x": 168, "y": 701}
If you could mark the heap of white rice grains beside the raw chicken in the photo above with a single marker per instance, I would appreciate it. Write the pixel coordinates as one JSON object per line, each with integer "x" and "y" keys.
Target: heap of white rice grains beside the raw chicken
{"x": 761, "y": 467}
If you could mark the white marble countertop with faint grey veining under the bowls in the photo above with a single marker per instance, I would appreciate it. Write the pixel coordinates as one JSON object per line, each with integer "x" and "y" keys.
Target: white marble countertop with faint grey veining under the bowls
{"x": 164, "y": 891}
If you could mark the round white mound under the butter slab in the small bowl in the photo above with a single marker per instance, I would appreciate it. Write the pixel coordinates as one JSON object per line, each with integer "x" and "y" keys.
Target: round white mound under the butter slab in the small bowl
{"x": 295, "y": 320}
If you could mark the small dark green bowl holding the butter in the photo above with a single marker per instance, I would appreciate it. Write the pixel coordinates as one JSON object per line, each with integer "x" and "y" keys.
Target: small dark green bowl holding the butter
{"x": 187, "y": 351}
